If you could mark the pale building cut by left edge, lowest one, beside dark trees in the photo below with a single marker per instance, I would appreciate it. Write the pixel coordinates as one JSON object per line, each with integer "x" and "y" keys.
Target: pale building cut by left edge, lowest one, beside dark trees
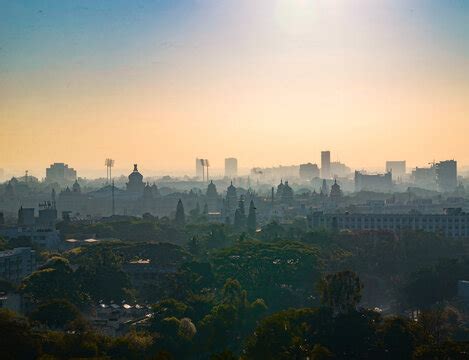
{"x": 16, "y": 264}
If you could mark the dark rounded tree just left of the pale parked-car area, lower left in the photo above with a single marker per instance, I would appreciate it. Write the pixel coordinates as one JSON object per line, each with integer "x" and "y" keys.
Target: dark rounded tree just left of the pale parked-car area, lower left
{"x": 56, "y": 314}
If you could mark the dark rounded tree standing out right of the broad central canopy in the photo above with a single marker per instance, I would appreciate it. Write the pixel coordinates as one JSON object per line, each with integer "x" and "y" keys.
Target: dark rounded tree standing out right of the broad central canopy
{"x": 341, "y": 291}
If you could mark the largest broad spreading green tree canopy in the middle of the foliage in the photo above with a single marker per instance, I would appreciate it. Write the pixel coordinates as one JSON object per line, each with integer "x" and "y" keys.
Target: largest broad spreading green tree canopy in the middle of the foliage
{"x": 282, "y": 273}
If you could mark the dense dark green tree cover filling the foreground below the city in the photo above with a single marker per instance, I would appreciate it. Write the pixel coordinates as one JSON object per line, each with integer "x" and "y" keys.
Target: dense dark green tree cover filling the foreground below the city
{"x": 227, "y": 292}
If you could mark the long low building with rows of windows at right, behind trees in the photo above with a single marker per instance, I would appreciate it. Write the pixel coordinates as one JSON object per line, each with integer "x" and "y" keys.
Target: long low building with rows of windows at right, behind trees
{"x": 451, "y": 224}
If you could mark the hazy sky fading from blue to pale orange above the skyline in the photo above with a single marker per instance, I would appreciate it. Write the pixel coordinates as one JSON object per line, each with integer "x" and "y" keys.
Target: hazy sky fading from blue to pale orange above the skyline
{"x": 270, "y": 82}
